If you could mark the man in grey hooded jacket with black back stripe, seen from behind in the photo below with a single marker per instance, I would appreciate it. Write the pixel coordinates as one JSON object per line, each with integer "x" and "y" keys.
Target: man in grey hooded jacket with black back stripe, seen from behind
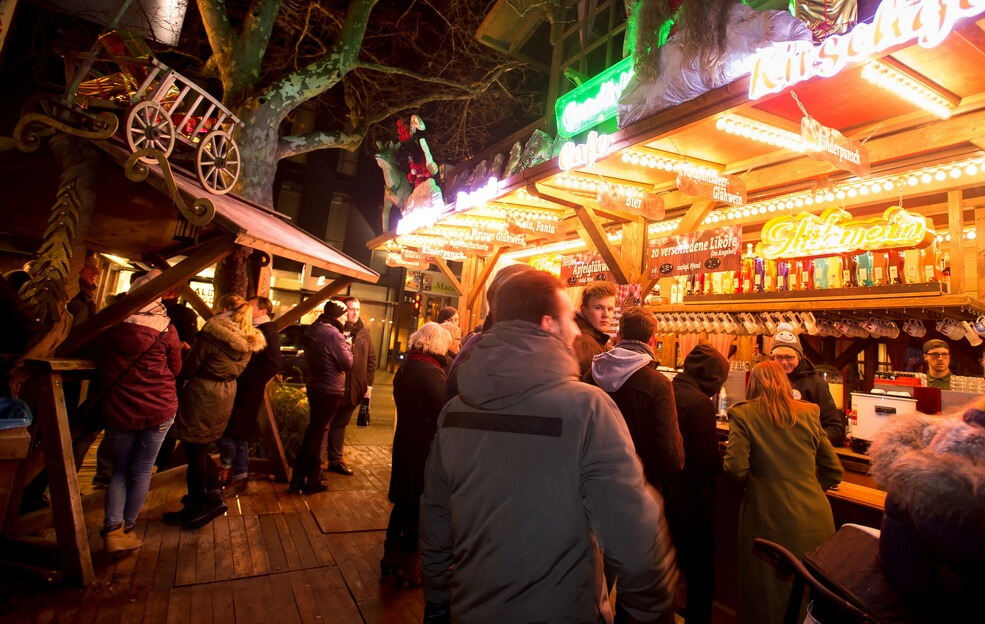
{"x": 536, "y": 473}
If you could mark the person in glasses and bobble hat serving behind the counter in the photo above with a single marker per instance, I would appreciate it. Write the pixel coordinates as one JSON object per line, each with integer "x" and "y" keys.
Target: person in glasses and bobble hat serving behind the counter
{"x": 807, "y": 383}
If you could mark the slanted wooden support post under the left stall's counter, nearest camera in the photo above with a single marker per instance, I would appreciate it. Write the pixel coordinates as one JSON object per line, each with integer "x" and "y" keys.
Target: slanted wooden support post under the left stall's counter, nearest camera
{"x": 66, "y": 502}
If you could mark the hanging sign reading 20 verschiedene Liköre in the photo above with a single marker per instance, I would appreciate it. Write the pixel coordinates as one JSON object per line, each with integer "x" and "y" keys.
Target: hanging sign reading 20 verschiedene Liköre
{"x": 707, "y": 251}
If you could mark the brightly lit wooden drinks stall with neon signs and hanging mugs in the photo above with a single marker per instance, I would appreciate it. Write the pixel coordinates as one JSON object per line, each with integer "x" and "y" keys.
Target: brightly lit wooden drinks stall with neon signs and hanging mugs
{"x": 887, "y": 151}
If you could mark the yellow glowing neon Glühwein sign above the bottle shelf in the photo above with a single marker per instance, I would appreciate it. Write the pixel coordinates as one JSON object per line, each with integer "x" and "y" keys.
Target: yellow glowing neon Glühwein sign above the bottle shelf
{"x": 835, "y": 232}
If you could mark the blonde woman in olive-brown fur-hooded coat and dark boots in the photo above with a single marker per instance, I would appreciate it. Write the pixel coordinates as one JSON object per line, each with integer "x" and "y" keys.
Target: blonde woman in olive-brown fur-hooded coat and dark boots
{"x": 221, "y": 351}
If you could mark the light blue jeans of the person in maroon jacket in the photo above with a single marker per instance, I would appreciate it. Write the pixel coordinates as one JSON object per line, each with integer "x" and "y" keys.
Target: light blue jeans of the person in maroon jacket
{"x": 133, "y": 460}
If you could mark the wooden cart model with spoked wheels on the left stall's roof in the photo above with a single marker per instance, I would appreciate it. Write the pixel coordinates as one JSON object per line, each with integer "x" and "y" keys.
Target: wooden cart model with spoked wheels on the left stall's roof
{"x": 162, "y": 108}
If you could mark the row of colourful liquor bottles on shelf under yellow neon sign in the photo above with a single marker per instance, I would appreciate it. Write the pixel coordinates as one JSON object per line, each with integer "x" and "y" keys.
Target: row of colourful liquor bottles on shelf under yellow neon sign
{"x": 910, "y": 266}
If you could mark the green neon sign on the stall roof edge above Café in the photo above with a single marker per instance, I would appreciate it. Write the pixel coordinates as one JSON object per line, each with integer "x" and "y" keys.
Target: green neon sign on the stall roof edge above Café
{"x": 593, "y": 102}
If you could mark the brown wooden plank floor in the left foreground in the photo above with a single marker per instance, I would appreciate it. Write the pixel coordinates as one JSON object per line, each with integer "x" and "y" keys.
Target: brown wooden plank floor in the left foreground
{"x": 273, "y": 557}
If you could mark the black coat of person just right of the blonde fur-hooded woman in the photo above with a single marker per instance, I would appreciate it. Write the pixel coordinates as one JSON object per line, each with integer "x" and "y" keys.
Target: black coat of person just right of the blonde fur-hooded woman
{"x": 252, "y": 385}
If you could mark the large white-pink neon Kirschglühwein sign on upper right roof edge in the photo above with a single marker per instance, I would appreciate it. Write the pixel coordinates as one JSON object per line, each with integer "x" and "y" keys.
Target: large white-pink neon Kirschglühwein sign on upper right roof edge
{"x": 928, "y": 22}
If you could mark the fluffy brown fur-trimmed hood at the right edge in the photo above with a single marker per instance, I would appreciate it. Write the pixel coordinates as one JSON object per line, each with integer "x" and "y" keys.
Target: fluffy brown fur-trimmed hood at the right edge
{"x": 934, "y": 468}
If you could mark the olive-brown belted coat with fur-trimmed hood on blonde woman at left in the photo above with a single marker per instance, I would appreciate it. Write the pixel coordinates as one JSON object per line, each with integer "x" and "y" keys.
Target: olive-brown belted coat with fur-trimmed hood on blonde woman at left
{"x": 219, "y": 355}
